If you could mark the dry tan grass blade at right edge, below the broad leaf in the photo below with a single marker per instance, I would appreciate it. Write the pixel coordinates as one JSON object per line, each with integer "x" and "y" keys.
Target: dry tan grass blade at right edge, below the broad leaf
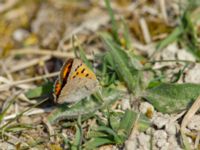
{"x": 193, "y": 109}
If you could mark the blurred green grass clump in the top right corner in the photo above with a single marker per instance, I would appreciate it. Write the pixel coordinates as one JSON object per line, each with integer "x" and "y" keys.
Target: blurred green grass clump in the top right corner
{"x": 186, "y": 33}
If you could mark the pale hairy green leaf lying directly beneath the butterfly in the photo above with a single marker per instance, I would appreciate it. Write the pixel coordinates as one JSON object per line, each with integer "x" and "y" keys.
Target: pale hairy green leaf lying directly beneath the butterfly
{"x": 84, "y": 107}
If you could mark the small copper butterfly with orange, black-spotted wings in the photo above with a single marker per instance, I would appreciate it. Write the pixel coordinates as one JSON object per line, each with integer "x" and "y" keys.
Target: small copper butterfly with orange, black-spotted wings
{"x": 75, "y": 82}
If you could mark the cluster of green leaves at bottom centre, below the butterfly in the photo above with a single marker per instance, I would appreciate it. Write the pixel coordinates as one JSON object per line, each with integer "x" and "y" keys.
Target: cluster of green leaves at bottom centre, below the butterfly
{"x": 117, "y": 129}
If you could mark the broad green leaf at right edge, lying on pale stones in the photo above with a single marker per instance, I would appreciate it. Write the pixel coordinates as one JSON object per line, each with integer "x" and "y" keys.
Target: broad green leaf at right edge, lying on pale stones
{"x": 170, "y": 98}
